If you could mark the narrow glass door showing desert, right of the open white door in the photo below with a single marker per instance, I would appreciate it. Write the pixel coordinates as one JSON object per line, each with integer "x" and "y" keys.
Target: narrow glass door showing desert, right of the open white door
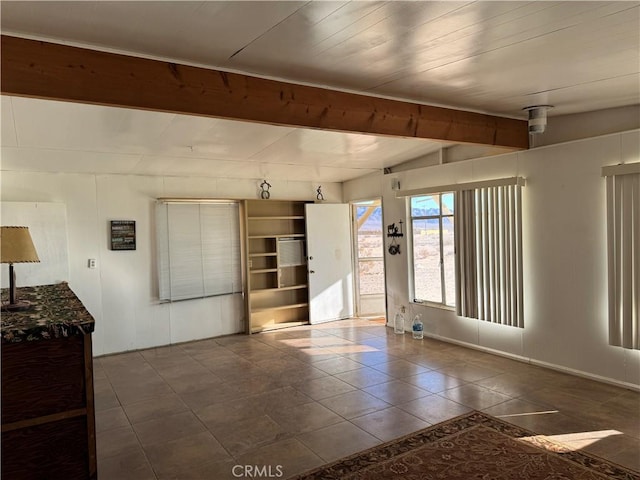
{"x": 369, "y": 257}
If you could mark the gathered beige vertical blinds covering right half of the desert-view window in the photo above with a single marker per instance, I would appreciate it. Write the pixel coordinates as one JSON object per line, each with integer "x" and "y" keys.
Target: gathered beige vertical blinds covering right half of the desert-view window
{"x": 488, "y": 240}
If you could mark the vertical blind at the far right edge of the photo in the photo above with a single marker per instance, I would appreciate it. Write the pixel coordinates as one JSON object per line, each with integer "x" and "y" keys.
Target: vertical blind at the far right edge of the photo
{"x": 623, "y": 251}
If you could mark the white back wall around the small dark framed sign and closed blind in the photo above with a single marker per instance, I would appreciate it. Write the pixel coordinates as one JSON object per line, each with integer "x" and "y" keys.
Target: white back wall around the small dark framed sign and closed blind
{"x": 122, "y": 292}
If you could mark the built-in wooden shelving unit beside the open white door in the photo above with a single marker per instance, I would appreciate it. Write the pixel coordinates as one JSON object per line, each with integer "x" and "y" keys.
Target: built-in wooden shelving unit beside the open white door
{"x": 276, "y": 264}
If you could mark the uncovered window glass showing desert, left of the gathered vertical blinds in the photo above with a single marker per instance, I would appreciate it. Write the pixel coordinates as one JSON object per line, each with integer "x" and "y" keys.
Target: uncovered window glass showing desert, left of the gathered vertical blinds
{"x": 432, "y": 229}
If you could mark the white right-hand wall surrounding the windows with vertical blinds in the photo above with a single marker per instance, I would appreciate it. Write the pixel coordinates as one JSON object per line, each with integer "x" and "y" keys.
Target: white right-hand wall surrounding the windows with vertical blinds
{"x": 564, "y": 248}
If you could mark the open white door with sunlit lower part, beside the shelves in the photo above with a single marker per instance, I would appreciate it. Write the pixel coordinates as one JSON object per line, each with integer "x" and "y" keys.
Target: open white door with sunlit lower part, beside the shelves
{"x": 329, "y": 262}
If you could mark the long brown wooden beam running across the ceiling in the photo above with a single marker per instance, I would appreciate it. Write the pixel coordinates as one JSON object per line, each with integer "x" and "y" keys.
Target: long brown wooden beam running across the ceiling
{"x": 52, "y": 71}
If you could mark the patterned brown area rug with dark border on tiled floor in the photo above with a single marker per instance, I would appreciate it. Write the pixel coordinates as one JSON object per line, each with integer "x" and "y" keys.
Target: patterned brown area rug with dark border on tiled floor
{"x": 474, "y": 446}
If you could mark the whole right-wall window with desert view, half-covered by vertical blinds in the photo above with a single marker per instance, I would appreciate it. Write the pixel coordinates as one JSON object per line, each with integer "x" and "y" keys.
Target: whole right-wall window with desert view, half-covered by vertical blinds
{"x": 475, "y": 262}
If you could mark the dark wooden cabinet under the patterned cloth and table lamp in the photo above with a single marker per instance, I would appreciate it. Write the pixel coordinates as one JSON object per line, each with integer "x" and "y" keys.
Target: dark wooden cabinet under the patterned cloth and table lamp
{"x": 48, "y": 420}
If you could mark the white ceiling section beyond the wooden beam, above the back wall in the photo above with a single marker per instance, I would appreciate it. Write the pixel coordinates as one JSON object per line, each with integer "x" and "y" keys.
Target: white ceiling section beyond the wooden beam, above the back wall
{"x": 39, "y": 135}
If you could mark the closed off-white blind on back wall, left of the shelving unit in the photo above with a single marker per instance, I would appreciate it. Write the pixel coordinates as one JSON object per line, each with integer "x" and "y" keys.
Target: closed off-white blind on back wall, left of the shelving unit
{"x": 198, "y": 249}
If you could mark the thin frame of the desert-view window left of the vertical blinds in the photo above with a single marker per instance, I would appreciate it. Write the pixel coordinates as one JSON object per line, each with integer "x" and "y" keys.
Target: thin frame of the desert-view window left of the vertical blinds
{"x": 443, "y": 303}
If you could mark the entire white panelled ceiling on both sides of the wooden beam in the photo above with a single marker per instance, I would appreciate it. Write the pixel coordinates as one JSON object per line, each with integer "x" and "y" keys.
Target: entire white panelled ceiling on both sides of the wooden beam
{"x": 494, "y": 57}
